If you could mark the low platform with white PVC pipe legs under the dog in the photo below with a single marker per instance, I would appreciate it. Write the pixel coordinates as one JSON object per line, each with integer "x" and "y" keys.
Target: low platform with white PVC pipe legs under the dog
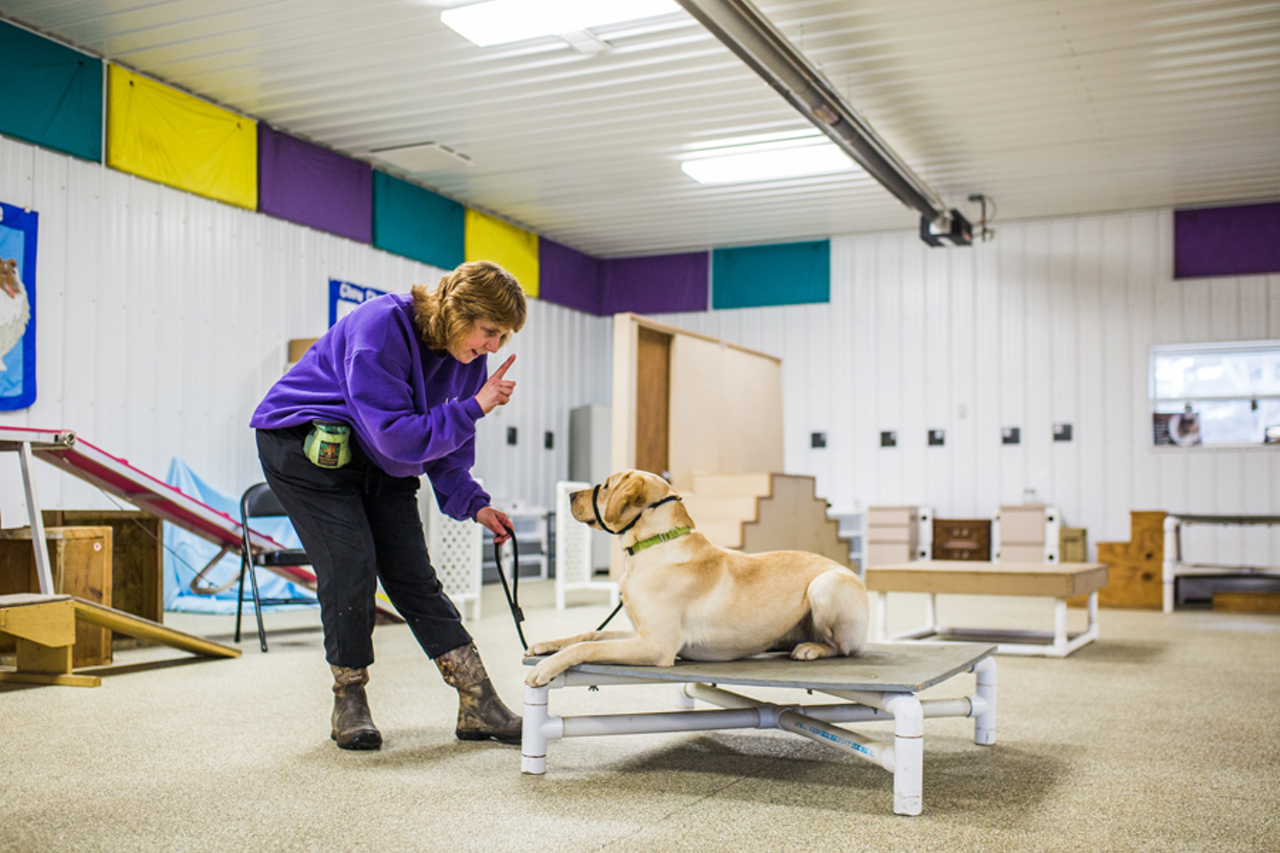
{"x": 881, "y": 685}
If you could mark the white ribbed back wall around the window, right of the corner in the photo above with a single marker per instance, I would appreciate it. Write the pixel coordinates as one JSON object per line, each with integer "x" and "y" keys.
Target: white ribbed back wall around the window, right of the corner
{"x": 1049, "y": 323}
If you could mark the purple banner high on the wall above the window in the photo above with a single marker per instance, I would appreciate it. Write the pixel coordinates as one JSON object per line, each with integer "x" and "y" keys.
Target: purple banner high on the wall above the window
{"x": 1227, "y": 241}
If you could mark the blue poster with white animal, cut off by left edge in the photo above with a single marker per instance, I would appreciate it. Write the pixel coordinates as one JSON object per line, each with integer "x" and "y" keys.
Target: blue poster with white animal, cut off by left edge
{"x": 17, "y": 308}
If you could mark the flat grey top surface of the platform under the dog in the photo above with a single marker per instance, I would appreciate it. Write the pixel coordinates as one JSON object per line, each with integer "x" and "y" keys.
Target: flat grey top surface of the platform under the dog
{"x": 898, "y": 668}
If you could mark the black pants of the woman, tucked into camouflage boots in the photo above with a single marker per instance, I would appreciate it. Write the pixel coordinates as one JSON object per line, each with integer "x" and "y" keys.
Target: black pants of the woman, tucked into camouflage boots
{"x": 358, "y": 526}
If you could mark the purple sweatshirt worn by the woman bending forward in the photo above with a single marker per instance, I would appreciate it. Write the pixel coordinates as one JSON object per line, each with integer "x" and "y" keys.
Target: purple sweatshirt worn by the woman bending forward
{"x": 413, "y": 409}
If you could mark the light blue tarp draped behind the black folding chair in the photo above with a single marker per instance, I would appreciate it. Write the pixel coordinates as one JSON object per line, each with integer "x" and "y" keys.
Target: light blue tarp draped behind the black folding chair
{"x": 186, "y": 554}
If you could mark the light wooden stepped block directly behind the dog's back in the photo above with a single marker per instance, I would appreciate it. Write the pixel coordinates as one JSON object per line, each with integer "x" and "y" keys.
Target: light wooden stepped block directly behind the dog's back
{"x": 758, "y": 513}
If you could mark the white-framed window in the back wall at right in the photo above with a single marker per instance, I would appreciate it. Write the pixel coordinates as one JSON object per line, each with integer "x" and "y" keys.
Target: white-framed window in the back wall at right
{"x": 1217, "y": 394}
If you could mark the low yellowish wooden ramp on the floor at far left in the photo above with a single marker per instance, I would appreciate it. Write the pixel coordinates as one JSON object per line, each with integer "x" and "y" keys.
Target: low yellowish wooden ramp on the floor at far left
{"x": 44, "y": 631}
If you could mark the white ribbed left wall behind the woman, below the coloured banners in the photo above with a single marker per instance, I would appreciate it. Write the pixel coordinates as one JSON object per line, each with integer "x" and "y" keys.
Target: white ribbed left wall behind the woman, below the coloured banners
{"x": 163, "y": 318}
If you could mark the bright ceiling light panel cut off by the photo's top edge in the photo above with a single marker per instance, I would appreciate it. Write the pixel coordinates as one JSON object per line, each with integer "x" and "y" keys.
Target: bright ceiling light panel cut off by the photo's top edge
{"x": 499, "y": 22}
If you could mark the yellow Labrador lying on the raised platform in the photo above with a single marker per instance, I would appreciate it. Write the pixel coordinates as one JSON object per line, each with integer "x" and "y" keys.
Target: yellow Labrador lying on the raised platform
{"x": 691, "y": 599}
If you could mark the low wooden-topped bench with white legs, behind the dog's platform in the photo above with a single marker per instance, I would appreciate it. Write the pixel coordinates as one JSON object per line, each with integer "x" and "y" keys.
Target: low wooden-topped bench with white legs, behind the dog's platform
{"x": 972, "y": 578}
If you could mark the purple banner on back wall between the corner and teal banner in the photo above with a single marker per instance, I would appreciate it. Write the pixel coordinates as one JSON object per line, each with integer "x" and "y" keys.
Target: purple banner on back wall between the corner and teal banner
{"x": 656, "y": 285}
